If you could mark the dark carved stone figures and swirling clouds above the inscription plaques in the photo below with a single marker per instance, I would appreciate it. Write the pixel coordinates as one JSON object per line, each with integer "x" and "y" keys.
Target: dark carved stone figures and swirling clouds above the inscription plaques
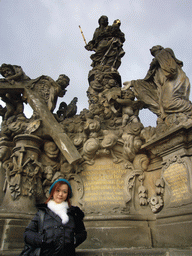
{"x": 112, "y": 119}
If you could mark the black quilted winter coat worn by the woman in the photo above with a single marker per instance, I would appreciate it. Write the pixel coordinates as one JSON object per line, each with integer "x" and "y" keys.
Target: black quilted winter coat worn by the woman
{"x": 58, "y": 239}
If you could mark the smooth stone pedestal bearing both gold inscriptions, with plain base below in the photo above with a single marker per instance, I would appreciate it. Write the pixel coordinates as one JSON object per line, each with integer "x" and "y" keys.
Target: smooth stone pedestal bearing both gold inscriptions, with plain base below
{"x": 115, "y": 223}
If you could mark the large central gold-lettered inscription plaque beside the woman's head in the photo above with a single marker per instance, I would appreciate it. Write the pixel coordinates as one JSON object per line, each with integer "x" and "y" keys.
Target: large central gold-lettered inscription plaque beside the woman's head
{"x": 103, "y": 185}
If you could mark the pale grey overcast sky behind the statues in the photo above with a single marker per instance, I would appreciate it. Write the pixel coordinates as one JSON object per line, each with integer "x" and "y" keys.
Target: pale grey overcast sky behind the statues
{"x": 43, "y": 37}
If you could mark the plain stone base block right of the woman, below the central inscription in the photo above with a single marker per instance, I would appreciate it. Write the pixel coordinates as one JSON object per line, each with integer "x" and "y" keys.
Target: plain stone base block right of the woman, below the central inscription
{"x": 117, "y": 232}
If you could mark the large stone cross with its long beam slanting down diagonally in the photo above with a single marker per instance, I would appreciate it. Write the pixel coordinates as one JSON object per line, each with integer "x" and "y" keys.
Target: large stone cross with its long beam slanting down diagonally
{"x": 54, "y": 129}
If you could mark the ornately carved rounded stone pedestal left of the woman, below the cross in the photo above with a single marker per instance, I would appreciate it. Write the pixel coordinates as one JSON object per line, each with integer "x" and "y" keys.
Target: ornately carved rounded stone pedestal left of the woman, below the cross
{"x": 26, "y": 150}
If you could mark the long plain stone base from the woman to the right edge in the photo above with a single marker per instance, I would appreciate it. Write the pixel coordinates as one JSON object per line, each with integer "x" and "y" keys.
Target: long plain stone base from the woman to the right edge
{"x": 136, "y": 232}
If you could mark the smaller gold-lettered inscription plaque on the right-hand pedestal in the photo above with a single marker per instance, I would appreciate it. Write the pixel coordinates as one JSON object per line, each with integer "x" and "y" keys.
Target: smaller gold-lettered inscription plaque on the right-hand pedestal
{"x": 176, "y": 177}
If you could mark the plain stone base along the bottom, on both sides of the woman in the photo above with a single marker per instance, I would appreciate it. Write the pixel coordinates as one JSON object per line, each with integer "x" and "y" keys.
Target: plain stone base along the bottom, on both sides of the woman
{"x": 117, "y": 235}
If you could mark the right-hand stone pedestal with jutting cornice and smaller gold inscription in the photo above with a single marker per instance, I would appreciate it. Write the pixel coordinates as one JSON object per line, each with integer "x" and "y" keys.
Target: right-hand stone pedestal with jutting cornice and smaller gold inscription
{"x": 173, "y": 225}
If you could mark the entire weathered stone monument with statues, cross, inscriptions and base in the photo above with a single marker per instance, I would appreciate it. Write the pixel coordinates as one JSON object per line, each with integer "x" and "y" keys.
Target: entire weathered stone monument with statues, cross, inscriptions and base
{"x": 133, "y": 182}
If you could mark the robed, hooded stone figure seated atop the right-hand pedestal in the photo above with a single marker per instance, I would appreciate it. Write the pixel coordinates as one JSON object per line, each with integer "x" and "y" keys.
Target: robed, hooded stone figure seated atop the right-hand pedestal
{"x": 164, "y": 90}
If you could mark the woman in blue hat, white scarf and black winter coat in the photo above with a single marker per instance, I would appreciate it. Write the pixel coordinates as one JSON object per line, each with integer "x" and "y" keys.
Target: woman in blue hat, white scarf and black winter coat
{"x": 63, "y": 227}
